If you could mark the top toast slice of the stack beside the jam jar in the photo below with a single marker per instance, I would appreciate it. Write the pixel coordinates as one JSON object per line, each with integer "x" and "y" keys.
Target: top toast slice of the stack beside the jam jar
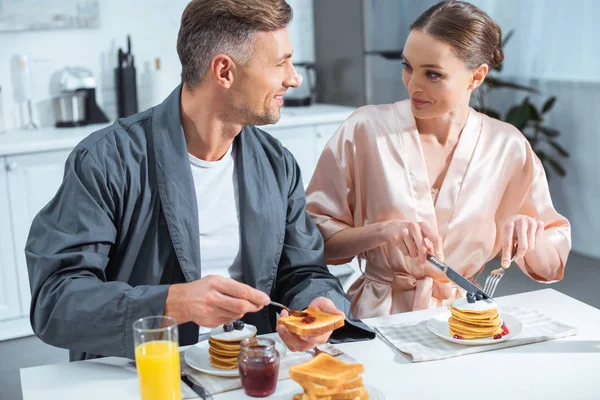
{"x": 325, "y": 370}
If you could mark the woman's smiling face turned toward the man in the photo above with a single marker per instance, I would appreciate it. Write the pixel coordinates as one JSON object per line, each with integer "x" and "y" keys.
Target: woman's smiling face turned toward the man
{"x": 438, "y": 82}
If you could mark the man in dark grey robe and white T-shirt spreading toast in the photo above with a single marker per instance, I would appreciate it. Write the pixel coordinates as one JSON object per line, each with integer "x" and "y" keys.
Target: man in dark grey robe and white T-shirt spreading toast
{"x": 187, "y": 209}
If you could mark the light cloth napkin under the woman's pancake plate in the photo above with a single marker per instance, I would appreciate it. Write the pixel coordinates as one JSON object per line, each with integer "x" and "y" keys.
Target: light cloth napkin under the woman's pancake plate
{"x": 417, "y": 343}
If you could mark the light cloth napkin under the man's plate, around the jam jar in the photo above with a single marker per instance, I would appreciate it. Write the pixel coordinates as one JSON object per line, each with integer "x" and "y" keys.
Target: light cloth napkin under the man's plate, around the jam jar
{"x": 219, "y": 384}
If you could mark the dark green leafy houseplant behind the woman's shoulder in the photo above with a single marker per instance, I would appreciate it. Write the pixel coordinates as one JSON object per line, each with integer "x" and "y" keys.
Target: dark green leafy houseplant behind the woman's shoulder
{"x": 528, "y": 119}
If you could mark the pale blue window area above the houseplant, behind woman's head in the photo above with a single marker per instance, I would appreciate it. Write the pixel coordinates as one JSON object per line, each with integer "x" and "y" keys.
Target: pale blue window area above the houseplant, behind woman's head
{"x": 554, "y": 39}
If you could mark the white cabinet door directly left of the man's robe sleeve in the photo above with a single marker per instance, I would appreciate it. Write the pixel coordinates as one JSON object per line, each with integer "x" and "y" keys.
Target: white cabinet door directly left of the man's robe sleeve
{"x": 33, "y": 180}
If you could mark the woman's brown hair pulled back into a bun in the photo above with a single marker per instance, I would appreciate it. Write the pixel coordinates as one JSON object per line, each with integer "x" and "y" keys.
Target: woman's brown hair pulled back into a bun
{"x": 473, "y": 35}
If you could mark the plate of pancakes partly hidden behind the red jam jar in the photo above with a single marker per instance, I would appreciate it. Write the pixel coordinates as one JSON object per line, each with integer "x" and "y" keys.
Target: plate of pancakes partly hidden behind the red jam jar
{"x": 219, "y": 354}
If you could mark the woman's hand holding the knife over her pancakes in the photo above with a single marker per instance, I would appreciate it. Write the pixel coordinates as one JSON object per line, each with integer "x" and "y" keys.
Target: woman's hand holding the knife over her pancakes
{"x": 414, "y": 239}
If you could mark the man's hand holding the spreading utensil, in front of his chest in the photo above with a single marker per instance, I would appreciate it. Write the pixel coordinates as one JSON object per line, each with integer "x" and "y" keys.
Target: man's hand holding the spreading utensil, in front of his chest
{"x": 213, "y": 301}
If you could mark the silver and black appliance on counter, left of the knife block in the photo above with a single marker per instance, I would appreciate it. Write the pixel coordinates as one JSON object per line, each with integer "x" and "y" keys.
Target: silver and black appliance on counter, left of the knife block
{"x": 76, "y": 103}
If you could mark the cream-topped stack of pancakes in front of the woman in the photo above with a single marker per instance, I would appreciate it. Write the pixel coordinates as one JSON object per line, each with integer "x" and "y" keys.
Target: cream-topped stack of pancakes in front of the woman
{"x": 474, "y": 320}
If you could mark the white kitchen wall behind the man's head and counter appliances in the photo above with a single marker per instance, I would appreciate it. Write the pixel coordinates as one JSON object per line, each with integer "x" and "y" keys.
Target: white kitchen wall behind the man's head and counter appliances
{"x": 153, "y": 25}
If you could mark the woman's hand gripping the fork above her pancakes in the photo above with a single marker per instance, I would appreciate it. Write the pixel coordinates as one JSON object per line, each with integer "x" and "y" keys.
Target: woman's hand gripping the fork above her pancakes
{"x": 521, "y": 231}
